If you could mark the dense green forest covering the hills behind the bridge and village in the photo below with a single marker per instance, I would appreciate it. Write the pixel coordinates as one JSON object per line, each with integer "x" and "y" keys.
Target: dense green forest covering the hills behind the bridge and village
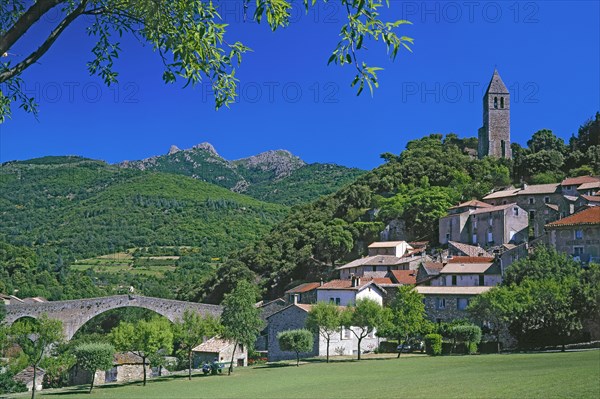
{"x": 57, "y": 210}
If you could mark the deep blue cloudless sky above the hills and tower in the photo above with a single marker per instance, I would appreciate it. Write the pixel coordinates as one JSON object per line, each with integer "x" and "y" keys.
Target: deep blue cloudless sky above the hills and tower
{"x": 546, "y": 52}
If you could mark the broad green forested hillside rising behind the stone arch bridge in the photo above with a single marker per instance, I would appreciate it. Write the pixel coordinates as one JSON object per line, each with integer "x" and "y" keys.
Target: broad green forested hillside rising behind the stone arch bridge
{"x": 58, "y": 209}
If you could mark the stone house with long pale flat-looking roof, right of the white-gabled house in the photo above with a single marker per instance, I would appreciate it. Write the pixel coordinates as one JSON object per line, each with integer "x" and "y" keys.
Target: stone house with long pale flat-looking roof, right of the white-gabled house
{"x": 447, "y": 303}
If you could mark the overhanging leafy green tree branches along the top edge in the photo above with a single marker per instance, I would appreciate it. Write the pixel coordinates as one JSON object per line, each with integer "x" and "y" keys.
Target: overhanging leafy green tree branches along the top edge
{"x": 189, "y": 36}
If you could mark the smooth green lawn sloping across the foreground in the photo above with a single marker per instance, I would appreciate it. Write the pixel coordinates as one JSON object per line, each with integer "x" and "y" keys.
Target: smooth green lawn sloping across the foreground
{"x": 542, "y": 375}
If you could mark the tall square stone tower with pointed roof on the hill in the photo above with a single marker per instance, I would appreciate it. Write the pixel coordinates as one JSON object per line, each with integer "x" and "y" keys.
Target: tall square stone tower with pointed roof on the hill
{"x": 494, "y": 135}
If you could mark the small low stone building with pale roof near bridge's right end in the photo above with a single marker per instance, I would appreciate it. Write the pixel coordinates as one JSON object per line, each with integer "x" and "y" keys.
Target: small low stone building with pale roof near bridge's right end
{"x": 222, "y": 350}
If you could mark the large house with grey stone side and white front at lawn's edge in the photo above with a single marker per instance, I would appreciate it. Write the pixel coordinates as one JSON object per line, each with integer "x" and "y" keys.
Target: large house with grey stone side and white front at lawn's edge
{"x": 294, "y": 317}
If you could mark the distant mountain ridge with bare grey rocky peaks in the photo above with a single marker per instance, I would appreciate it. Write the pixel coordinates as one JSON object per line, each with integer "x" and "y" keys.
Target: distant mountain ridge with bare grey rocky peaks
{"x": 272, "y": 176}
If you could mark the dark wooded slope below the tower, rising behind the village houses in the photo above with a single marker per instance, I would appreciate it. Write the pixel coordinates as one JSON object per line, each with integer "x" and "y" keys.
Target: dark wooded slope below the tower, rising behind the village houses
{"x": 417, "y": 186}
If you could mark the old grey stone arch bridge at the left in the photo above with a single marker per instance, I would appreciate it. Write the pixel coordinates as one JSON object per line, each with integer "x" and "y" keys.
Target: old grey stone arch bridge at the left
{"x": 75, "y": 313}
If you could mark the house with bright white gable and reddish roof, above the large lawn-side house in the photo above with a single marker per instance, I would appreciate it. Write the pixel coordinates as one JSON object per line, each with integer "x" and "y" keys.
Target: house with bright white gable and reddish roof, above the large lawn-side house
{"x": 347, "y": 292}
